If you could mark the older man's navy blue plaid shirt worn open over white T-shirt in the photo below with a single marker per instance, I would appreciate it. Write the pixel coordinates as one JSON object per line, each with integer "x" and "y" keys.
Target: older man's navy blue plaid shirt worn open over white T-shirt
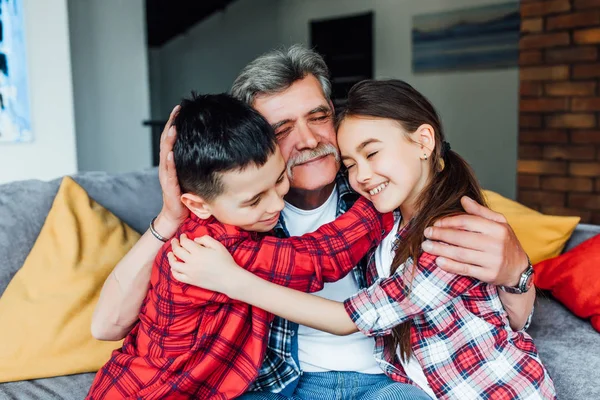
{"x": 279, "y": 368}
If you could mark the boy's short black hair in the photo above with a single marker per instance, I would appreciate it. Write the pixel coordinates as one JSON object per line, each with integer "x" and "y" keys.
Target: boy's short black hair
{"x": 217, "y": 133}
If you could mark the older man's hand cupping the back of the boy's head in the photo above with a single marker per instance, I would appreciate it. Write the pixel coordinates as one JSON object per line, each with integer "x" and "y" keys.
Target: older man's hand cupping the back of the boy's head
{"x": 173, "y": 212}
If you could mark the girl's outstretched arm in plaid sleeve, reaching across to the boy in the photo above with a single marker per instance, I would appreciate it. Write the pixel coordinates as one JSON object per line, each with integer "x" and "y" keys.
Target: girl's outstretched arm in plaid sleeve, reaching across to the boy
{"x": 374, "y": 311}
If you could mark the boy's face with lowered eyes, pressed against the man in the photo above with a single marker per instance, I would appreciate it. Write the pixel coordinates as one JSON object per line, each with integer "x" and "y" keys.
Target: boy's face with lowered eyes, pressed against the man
{"x": 252, "y": 198}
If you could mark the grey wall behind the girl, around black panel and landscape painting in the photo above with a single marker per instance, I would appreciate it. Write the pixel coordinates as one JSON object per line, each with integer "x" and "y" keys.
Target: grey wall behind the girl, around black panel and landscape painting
{"x": 479, "y": 110}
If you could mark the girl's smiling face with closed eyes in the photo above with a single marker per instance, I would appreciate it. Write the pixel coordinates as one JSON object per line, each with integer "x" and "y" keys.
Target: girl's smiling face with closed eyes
{"x": 385, "y": 163}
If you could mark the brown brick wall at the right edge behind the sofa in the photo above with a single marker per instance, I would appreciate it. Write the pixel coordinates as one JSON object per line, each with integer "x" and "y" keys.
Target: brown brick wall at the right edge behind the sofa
{"x": 559, "y": 117}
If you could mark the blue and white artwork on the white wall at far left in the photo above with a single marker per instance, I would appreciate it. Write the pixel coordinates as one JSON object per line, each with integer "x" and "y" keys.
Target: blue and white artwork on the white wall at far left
{"x": 15, "y": 123}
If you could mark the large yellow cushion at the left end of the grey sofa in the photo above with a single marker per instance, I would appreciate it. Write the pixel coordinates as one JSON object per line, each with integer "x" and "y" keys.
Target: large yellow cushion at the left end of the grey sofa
{"x": 46, "y": 310}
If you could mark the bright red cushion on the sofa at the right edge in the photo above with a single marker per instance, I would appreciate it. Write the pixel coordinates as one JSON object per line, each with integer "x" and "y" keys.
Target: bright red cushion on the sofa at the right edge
{"x": 574, "y": 279}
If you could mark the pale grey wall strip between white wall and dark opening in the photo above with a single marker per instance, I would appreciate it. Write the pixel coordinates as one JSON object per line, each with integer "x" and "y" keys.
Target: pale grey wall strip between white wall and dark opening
{"x": 111, "y": 84}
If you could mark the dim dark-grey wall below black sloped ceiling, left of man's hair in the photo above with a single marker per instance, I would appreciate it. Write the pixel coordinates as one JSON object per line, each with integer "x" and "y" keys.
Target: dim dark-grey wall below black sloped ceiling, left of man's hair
{"x": 211, "y": 54}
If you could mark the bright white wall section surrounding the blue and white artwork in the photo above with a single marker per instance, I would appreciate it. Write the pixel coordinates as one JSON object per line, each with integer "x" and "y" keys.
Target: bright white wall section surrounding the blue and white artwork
{"x": 52, "y": 153}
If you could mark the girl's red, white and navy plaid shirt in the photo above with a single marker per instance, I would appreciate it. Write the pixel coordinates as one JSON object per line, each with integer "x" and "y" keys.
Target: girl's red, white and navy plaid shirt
{"x": 460, "y": 333}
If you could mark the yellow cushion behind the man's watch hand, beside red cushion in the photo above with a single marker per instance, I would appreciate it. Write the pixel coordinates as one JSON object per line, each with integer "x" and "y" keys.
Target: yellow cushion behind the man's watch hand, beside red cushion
{"x": 542, "y": 236}
